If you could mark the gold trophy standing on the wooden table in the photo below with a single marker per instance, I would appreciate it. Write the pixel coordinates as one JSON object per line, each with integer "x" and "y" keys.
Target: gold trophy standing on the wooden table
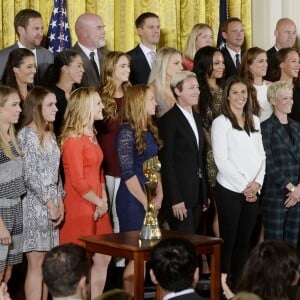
{"x": 150, "y": 229}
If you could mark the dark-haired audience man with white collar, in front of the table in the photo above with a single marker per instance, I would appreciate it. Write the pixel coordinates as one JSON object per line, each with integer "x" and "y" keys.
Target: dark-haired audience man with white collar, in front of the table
{"x": 173, "y": 265}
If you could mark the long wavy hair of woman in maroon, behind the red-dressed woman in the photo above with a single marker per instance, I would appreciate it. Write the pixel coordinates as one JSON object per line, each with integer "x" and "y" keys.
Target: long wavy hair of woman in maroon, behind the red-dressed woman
{"x": 107, "y": 87}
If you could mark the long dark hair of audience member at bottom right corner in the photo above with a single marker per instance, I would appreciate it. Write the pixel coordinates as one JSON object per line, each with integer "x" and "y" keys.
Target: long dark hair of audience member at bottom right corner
{"x": 271, "y": 268}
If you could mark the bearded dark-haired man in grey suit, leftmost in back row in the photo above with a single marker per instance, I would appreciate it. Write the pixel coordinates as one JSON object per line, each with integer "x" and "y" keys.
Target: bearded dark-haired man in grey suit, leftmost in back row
{"x": 29, "y": 26}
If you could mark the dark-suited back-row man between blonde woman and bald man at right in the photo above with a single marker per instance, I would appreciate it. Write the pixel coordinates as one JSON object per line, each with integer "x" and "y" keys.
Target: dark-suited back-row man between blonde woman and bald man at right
{"x": 233, "y": 33}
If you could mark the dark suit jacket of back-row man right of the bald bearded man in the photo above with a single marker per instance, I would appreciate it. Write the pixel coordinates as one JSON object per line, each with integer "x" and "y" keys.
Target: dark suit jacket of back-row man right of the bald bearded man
{"x": 139, "y": 66}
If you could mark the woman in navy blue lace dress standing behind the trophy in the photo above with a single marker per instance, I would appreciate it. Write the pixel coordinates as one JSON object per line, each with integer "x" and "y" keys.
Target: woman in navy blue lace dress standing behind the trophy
{"x": 137, "y": 141}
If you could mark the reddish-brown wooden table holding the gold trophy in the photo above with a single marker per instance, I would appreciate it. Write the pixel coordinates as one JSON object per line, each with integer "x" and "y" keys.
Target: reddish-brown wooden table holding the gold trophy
{"x": 129, "y": 246}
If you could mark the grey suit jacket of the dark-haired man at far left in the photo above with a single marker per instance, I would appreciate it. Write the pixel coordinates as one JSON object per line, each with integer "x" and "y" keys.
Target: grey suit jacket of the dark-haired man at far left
{"x": 43, "y": 56}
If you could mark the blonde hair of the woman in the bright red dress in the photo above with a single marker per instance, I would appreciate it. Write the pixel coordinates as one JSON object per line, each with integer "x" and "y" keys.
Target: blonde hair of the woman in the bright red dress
{"x": 79, "y": 113}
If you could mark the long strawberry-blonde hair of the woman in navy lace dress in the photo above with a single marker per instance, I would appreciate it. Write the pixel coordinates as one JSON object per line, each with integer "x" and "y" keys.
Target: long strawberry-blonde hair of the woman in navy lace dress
{"x": 134, "y": 113}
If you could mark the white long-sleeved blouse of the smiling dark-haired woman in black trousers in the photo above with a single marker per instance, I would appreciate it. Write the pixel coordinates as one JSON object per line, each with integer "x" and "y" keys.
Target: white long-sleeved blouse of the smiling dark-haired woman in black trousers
{"x": 240, "y": 158}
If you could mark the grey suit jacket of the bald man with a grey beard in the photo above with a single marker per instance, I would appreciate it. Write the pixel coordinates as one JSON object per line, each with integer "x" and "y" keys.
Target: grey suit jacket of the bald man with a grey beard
{"x": 90, "y": 78}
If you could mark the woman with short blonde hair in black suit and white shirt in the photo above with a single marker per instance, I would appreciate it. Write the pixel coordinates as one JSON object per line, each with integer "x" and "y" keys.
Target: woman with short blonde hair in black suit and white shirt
{"x": 183, "y": 172}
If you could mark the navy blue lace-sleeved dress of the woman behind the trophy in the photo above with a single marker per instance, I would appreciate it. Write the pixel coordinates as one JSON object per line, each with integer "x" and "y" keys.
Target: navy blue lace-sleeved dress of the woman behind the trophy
{"x": 130, "y": 211}
